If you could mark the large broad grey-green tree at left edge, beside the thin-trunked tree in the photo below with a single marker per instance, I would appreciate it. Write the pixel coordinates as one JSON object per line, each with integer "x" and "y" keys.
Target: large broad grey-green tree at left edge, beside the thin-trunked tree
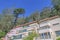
{"x": 6, "y": 21}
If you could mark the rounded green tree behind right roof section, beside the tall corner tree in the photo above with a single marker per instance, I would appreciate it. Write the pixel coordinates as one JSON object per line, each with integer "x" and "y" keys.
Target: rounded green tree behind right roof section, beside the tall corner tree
{"x": 45, "y": 13}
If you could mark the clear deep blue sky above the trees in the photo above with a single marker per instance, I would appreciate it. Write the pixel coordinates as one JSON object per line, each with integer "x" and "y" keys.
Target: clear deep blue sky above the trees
{"x": 29, "y": 5}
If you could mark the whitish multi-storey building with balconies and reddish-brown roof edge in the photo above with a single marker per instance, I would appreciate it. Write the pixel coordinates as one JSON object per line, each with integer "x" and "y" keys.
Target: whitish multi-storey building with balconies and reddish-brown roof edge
{"x": 48, "y": 29}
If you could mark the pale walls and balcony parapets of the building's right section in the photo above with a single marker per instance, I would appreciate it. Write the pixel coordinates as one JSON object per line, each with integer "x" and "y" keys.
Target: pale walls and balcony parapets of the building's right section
{"x": 52, "y": 28}
